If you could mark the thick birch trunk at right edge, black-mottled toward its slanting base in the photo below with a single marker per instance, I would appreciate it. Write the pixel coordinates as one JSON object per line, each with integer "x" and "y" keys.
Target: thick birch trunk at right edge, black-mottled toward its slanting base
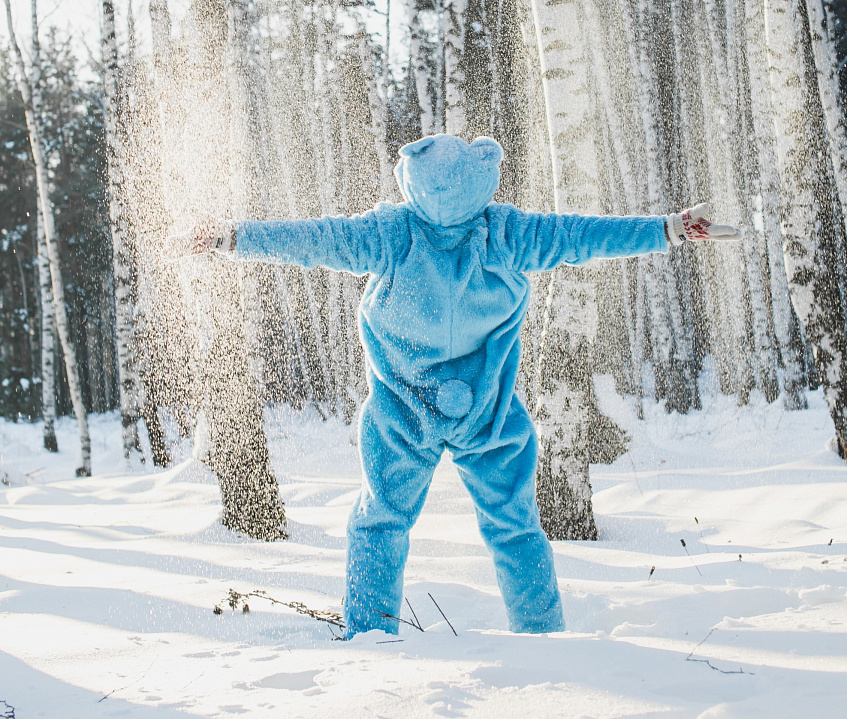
{"x": 808, "y": 244}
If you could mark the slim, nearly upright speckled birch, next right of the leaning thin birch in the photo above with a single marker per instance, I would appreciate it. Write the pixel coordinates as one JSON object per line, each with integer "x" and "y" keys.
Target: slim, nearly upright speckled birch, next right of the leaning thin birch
{"x": 122, "y": 251}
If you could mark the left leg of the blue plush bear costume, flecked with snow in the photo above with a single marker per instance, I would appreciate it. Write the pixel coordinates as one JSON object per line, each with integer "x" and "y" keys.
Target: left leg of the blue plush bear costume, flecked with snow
{"x": 396, "y": 476}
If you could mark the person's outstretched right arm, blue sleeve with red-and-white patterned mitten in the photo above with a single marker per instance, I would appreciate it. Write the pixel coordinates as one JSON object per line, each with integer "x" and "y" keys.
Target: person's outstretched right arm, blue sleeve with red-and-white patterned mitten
{"x": 544, "y": 241}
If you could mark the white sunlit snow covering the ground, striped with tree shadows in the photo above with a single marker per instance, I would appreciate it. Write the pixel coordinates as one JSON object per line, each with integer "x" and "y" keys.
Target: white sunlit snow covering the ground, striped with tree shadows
{"x": 107, "y": 585}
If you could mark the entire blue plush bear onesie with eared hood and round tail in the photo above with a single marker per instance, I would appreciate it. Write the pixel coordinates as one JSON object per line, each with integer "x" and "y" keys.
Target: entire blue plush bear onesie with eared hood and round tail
{"x": 440, "y": 321}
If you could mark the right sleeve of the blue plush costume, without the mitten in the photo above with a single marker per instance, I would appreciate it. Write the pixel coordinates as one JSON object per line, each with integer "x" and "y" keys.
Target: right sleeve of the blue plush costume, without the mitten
{"x": 540, "y": 242}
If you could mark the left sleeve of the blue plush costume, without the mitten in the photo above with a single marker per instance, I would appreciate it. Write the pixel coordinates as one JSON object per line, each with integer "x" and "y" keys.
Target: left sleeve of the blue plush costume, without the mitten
{"x": 352, "y": 244}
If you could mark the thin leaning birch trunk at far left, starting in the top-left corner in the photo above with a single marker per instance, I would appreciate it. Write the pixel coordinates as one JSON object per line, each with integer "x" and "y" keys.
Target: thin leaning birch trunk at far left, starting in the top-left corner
{"x": 33, "y": 114}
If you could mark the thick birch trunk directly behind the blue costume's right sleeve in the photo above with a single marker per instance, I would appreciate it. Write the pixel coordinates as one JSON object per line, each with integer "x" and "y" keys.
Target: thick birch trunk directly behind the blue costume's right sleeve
{"x": 563, "y": 485}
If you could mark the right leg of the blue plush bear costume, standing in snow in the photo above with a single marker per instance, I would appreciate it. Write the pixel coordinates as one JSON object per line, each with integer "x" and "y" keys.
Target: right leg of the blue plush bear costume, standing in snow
{"x": 500, "y": 477}
